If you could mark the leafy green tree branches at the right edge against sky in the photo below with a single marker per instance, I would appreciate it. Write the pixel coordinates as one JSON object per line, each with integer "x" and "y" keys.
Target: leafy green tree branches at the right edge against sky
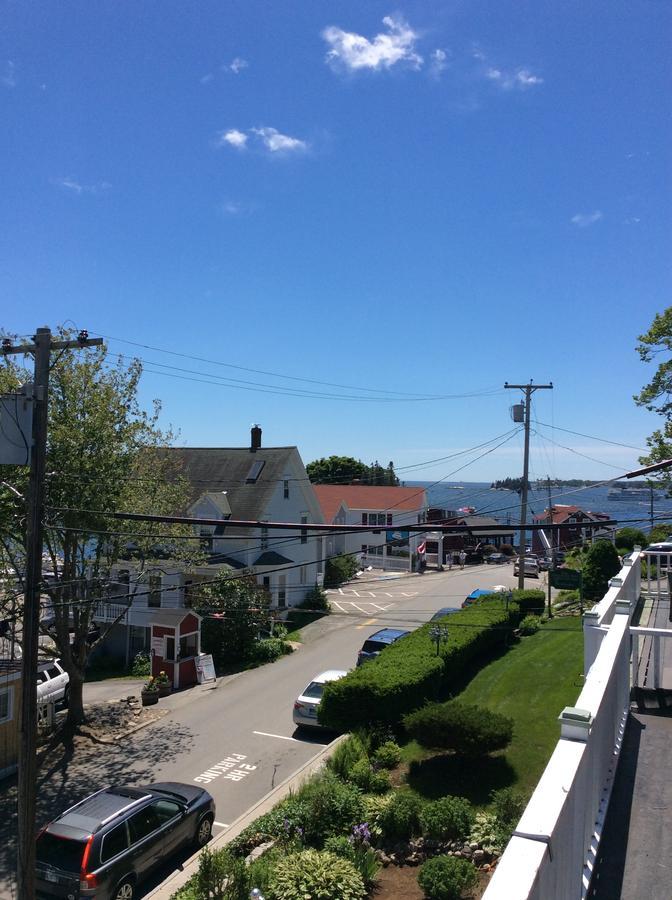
{"x": 656, "y": 396}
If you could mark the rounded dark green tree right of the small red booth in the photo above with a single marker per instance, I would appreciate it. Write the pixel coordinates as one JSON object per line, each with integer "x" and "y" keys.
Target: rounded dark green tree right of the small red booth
{"x": 236, "y": 609}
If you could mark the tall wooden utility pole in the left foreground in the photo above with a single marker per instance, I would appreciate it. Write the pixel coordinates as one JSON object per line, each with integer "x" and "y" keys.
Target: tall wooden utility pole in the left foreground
{"x": 27, "y": 780}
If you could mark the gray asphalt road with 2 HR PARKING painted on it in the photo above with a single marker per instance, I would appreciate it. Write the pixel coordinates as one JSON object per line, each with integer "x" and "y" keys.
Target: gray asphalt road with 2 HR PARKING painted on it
{"x": 238, "y": 739}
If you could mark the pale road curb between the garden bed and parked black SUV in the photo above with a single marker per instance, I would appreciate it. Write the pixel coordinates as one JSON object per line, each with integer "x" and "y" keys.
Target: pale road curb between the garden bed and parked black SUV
{"x": 179, "y": 878}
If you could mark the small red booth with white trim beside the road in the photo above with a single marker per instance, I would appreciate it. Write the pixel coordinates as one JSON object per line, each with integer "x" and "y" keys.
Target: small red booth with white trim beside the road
{"x": 176, "y": 645}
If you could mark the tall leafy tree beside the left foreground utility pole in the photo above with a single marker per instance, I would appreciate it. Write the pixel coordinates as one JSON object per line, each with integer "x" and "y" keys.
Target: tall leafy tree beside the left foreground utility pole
{"x": 103, "y": 454}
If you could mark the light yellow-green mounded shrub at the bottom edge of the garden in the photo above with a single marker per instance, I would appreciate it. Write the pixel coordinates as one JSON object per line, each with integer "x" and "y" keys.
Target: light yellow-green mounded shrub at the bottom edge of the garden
{"x": 316, "y": 874}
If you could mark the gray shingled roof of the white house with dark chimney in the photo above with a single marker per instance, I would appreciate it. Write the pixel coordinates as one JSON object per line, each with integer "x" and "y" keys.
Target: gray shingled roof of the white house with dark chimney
{"x": 226, "y": 468}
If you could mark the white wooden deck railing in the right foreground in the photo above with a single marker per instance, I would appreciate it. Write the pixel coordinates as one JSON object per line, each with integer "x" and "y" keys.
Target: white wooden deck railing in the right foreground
{"x": 553, "y": 849}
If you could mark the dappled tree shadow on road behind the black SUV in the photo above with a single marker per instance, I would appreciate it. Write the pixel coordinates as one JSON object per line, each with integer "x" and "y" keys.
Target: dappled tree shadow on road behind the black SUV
{"x": 75, "y": 768}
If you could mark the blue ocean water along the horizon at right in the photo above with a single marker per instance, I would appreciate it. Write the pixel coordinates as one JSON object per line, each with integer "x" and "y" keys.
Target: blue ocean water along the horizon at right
{"x": 505, "y": 505}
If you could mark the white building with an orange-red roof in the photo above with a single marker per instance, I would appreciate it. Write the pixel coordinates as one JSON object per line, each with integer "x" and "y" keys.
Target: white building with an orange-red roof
{"x": 389, "y": 509}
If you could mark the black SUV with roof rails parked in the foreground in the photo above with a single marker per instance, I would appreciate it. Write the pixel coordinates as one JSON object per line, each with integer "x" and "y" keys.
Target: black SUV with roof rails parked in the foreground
{"x": 105, "y": 845}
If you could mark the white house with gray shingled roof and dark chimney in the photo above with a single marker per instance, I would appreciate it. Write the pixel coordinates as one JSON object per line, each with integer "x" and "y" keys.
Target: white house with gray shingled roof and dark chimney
{"x": 253, "y": 484}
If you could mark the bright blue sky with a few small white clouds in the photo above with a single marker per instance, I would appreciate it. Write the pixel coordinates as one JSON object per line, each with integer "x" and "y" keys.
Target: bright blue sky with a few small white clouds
{"x": 396, "y": 199}
